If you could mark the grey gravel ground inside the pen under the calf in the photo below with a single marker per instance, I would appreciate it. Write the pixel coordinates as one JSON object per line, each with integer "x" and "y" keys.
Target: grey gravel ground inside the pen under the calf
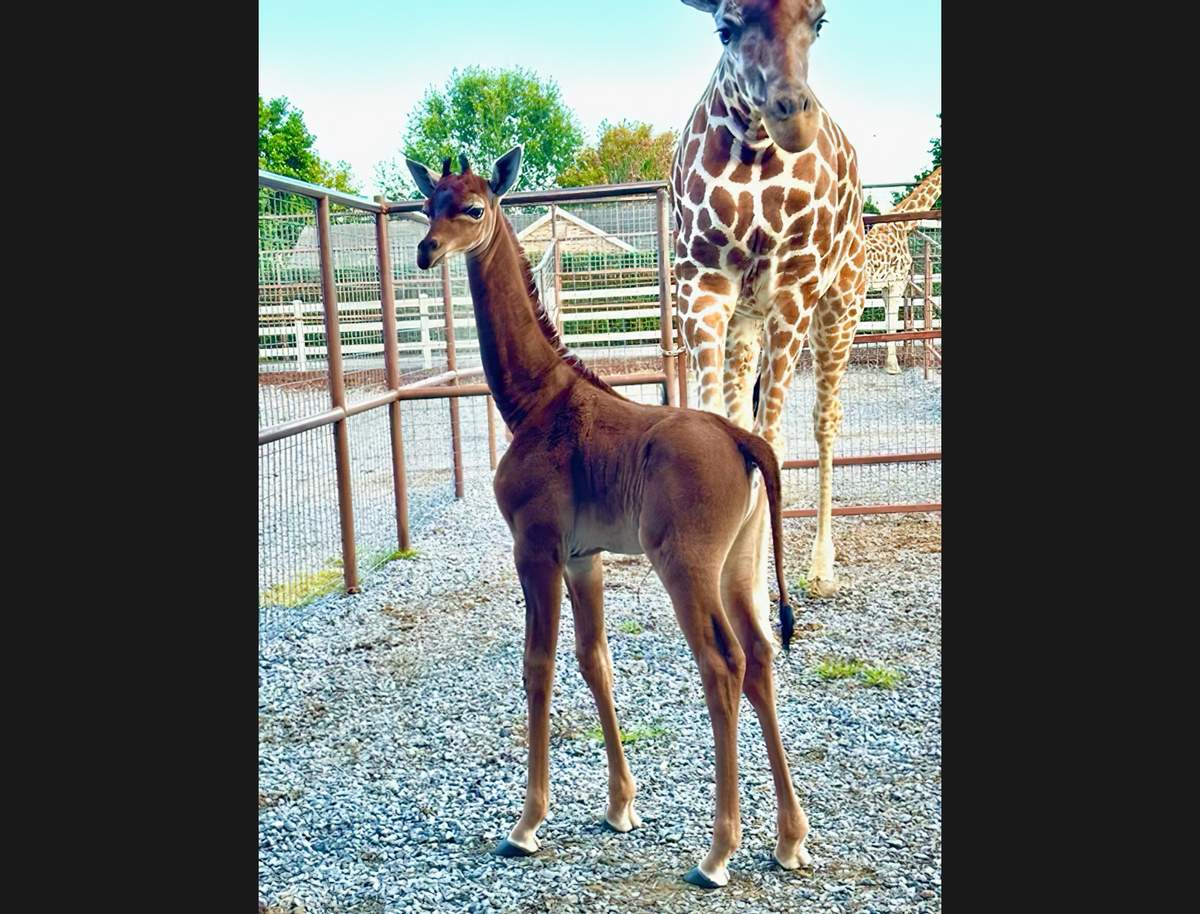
{"x": 392, "y": 754}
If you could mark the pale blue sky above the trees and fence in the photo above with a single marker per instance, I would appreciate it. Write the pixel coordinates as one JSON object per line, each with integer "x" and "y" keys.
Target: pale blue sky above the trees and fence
{"x": 357, "y": 68}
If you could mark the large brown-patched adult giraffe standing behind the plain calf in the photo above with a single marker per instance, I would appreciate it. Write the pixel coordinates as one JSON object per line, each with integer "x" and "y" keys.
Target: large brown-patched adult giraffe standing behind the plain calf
{"x": 770, "y": 248}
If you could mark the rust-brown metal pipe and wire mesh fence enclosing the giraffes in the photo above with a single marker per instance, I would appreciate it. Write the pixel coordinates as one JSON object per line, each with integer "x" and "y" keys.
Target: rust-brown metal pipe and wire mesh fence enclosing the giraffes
{"x": 371, "y": 417}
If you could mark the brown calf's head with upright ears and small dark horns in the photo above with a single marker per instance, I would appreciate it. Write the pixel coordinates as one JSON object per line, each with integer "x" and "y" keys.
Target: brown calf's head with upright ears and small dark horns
{"x": 464, "y": 209}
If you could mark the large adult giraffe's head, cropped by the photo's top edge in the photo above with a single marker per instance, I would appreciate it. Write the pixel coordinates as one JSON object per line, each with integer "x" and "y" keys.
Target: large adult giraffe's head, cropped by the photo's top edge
{"x": 767, "y": 47}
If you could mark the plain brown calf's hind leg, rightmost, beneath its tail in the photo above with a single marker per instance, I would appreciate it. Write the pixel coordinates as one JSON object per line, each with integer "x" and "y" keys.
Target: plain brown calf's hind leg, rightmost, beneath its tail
{"x": 739, "y": 579}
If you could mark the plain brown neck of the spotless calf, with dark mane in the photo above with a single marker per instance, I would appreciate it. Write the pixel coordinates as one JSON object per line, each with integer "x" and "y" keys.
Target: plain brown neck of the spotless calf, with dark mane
{"x": 524, "y": 369}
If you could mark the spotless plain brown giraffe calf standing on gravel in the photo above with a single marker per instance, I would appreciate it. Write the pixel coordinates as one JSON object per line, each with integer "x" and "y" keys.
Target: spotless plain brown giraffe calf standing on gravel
{"x": 590, "y": 471}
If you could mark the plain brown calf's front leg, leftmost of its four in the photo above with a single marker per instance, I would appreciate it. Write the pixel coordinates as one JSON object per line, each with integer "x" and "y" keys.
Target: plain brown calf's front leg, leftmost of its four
{"x": 541, "y": 569}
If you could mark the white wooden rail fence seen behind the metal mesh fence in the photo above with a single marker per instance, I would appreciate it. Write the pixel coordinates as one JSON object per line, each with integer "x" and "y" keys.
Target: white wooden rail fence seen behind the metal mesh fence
{"x": 427, "y": 317}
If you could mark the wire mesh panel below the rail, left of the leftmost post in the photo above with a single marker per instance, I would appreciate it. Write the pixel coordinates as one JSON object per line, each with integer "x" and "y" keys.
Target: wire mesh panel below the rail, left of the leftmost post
{"x": 299, "y": 540}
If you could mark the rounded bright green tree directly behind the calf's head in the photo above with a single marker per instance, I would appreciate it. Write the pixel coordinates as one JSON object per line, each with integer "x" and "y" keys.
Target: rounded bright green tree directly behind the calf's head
{"x": 484, "y": 113}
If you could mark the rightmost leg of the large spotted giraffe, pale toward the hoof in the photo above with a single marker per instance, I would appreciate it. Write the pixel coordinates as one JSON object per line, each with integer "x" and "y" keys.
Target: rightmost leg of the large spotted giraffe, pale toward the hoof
{"x": 835, "y": 322}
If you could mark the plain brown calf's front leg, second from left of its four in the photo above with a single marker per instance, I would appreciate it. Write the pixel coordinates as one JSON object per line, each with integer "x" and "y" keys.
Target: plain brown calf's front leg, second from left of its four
{"x": 585, "y": 584}
